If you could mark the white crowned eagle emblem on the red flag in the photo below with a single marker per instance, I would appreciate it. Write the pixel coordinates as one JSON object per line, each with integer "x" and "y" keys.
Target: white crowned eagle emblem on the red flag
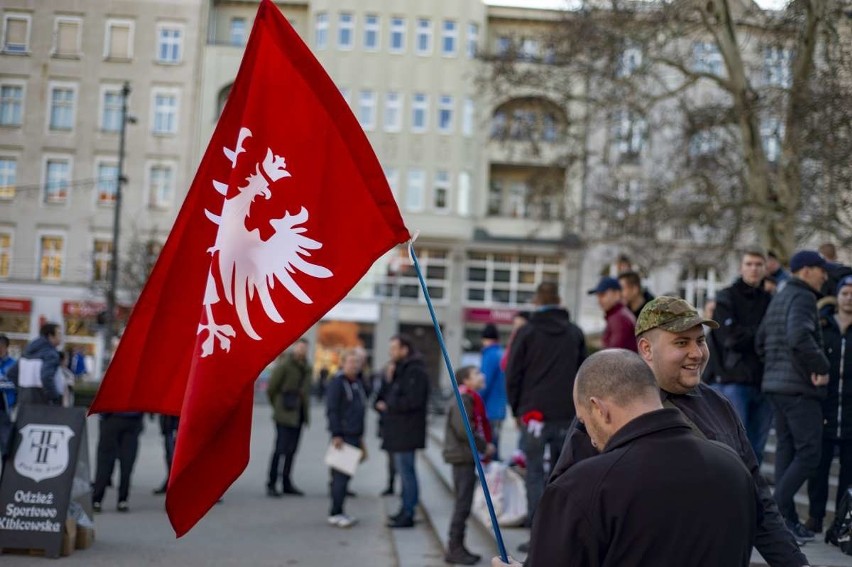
{"x": 249, "y": 265}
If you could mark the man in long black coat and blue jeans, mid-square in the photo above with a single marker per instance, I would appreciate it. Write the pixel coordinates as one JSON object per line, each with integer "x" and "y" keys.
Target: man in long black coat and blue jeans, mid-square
{"x": 404, "y": 421}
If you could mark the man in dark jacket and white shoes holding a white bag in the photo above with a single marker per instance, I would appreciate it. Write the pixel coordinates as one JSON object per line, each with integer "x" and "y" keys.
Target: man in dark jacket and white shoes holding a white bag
{"x": 345, "y": 401}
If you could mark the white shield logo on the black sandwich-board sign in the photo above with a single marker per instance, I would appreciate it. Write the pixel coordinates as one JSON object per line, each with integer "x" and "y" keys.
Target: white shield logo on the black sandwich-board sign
{"x": 43, "y": 451}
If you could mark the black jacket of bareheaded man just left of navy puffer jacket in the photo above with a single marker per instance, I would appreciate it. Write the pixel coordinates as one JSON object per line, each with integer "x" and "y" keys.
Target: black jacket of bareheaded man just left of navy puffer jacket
{"x": 739, "y": 311}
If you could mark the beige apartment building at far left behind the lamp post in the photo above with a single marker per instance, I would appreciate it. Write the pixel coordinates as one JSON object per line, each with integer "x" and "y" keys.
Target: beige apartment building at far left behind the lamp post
{"x": 62, "y": 69}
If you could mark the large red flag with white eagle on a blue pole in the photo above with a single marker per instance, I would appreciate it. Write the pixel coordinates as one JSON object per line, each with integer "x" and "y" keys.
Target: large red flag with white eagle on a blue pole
{"x": 288, "y": 210}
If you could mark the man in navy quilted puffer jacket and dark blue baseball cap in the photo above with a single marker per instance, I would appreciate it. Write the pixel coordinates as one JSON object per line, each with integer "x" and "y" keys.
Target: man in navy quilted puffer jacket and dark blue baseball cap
{"x": 795, "y": 378}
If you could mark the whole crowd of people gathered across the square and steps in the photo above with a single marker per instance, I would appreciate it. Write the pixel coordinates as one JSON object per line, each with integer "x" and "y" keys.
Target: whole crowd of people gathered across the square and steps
{"x": 598, "y": 432}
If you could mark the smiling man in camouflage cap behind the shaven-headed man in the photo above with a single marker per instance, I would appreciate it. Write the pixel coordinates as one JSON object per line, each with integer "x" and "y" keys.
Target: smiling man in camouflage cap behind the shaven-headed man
{"x": 671, "y": 339}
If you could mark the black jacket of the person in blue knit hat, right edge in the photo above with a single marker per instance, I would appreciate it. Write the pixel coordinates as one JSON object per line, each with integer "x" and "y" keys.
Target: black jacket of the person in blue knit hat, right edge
{"x": 837, "y": 407}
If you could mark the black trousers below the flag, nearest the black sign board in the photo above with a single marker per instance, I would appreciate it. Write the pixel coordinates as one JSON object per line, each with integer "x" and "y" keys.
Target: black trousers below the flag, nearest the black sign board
{"x": 118, "y": 439}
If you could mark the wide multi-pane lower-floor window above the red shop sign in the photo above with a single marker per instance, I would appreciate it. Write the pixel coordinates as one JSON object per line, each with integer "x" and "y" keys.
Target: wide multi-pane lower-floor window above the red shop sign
{"x": 508, "y": 279}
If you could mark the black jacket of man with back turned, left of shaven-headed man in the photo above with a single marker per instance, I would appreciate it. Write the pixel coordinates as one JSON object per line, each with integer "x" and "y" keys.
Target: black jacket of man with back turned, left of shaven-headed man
{"x": 543, "y": 362}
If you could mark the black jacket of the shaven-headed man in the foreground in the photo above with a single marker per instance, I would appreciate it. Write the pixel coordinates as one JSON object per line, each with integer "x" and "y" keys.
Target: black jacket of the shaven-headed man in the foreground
{"x": 631, "y": 506}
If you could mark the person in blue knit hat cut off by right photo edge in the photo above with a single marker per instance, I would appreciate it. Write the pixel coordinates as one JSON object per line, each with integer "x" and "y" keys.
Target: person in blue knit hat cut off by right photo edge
{"x": 837, "y": 407}
